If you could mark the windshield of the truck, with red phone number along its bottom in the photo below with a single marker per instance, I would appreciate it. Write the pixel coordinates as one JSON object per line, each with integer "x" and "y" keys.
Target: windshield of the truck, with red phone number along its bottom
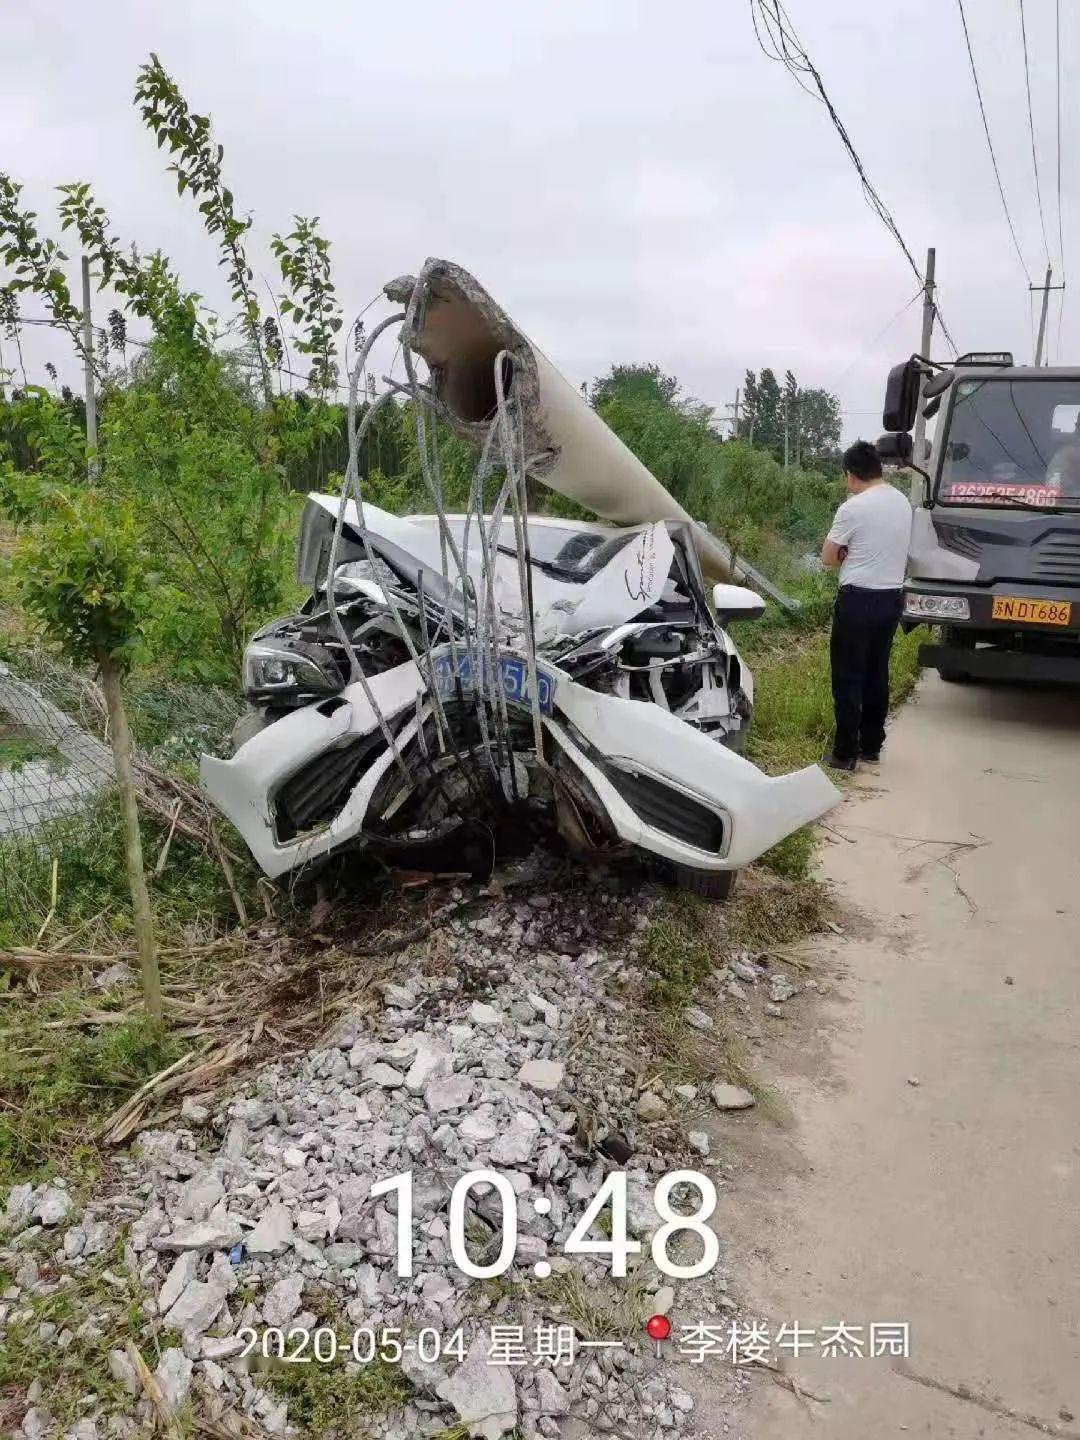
{"x": 1013, "y": 443}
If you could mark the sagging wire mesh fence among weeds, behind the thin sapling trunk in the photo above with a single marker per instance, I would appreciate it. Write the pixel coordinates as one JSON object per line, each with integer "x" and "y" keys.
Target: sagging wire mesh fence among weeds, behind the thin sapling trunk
{"x": 61, "y": 845}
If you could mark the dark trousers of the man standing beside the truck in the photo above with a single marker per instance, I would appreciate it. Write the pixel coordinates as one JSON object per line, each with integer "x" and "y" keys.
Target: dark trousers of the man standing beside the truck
{"x": 863, "y": 627}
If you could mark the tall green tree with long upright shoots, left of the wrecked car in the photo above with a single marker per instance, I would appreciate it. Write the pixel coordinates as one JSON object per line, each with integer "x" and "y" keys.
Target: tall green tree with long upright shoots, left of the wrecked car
{"x": 192, "y": 436}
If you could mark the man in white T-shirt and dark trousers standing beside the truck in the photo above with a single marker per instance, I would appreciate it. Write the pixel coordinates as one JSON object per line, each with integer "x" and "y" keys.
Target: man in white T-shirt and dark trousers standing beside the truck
{"x": 869, "y": 544}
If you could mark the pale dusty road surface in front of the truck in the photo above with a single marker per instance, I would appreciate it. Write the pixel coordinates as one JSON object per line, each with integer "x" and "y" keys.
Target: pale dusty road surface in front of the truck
{"x": 934, "y": 1173}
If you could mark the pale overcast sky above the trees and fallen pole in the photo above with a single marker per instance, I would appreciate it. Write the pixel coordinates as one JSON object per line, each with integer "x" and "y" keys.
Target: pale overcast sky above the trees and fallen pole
{"x": 634, "y": 182}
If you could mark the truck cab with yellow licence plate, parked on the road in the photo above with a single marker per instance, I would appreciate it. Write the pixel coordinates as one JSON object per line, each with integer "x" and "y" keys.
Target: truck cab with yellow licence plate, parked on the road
{"x": 996, "y": 542}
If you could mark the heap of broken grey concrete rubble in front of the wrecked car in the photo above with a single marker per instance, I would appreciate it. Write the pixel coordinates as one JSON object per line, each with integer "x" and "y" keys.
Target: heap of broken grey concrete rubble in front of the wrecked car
{"x": 515, "y": 1055}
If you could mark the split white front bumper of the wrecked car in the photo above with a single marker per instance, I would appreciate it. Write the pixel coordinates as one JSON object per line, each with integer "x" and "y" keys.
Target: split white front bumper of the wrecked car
{"x": 665, "y": 787}
